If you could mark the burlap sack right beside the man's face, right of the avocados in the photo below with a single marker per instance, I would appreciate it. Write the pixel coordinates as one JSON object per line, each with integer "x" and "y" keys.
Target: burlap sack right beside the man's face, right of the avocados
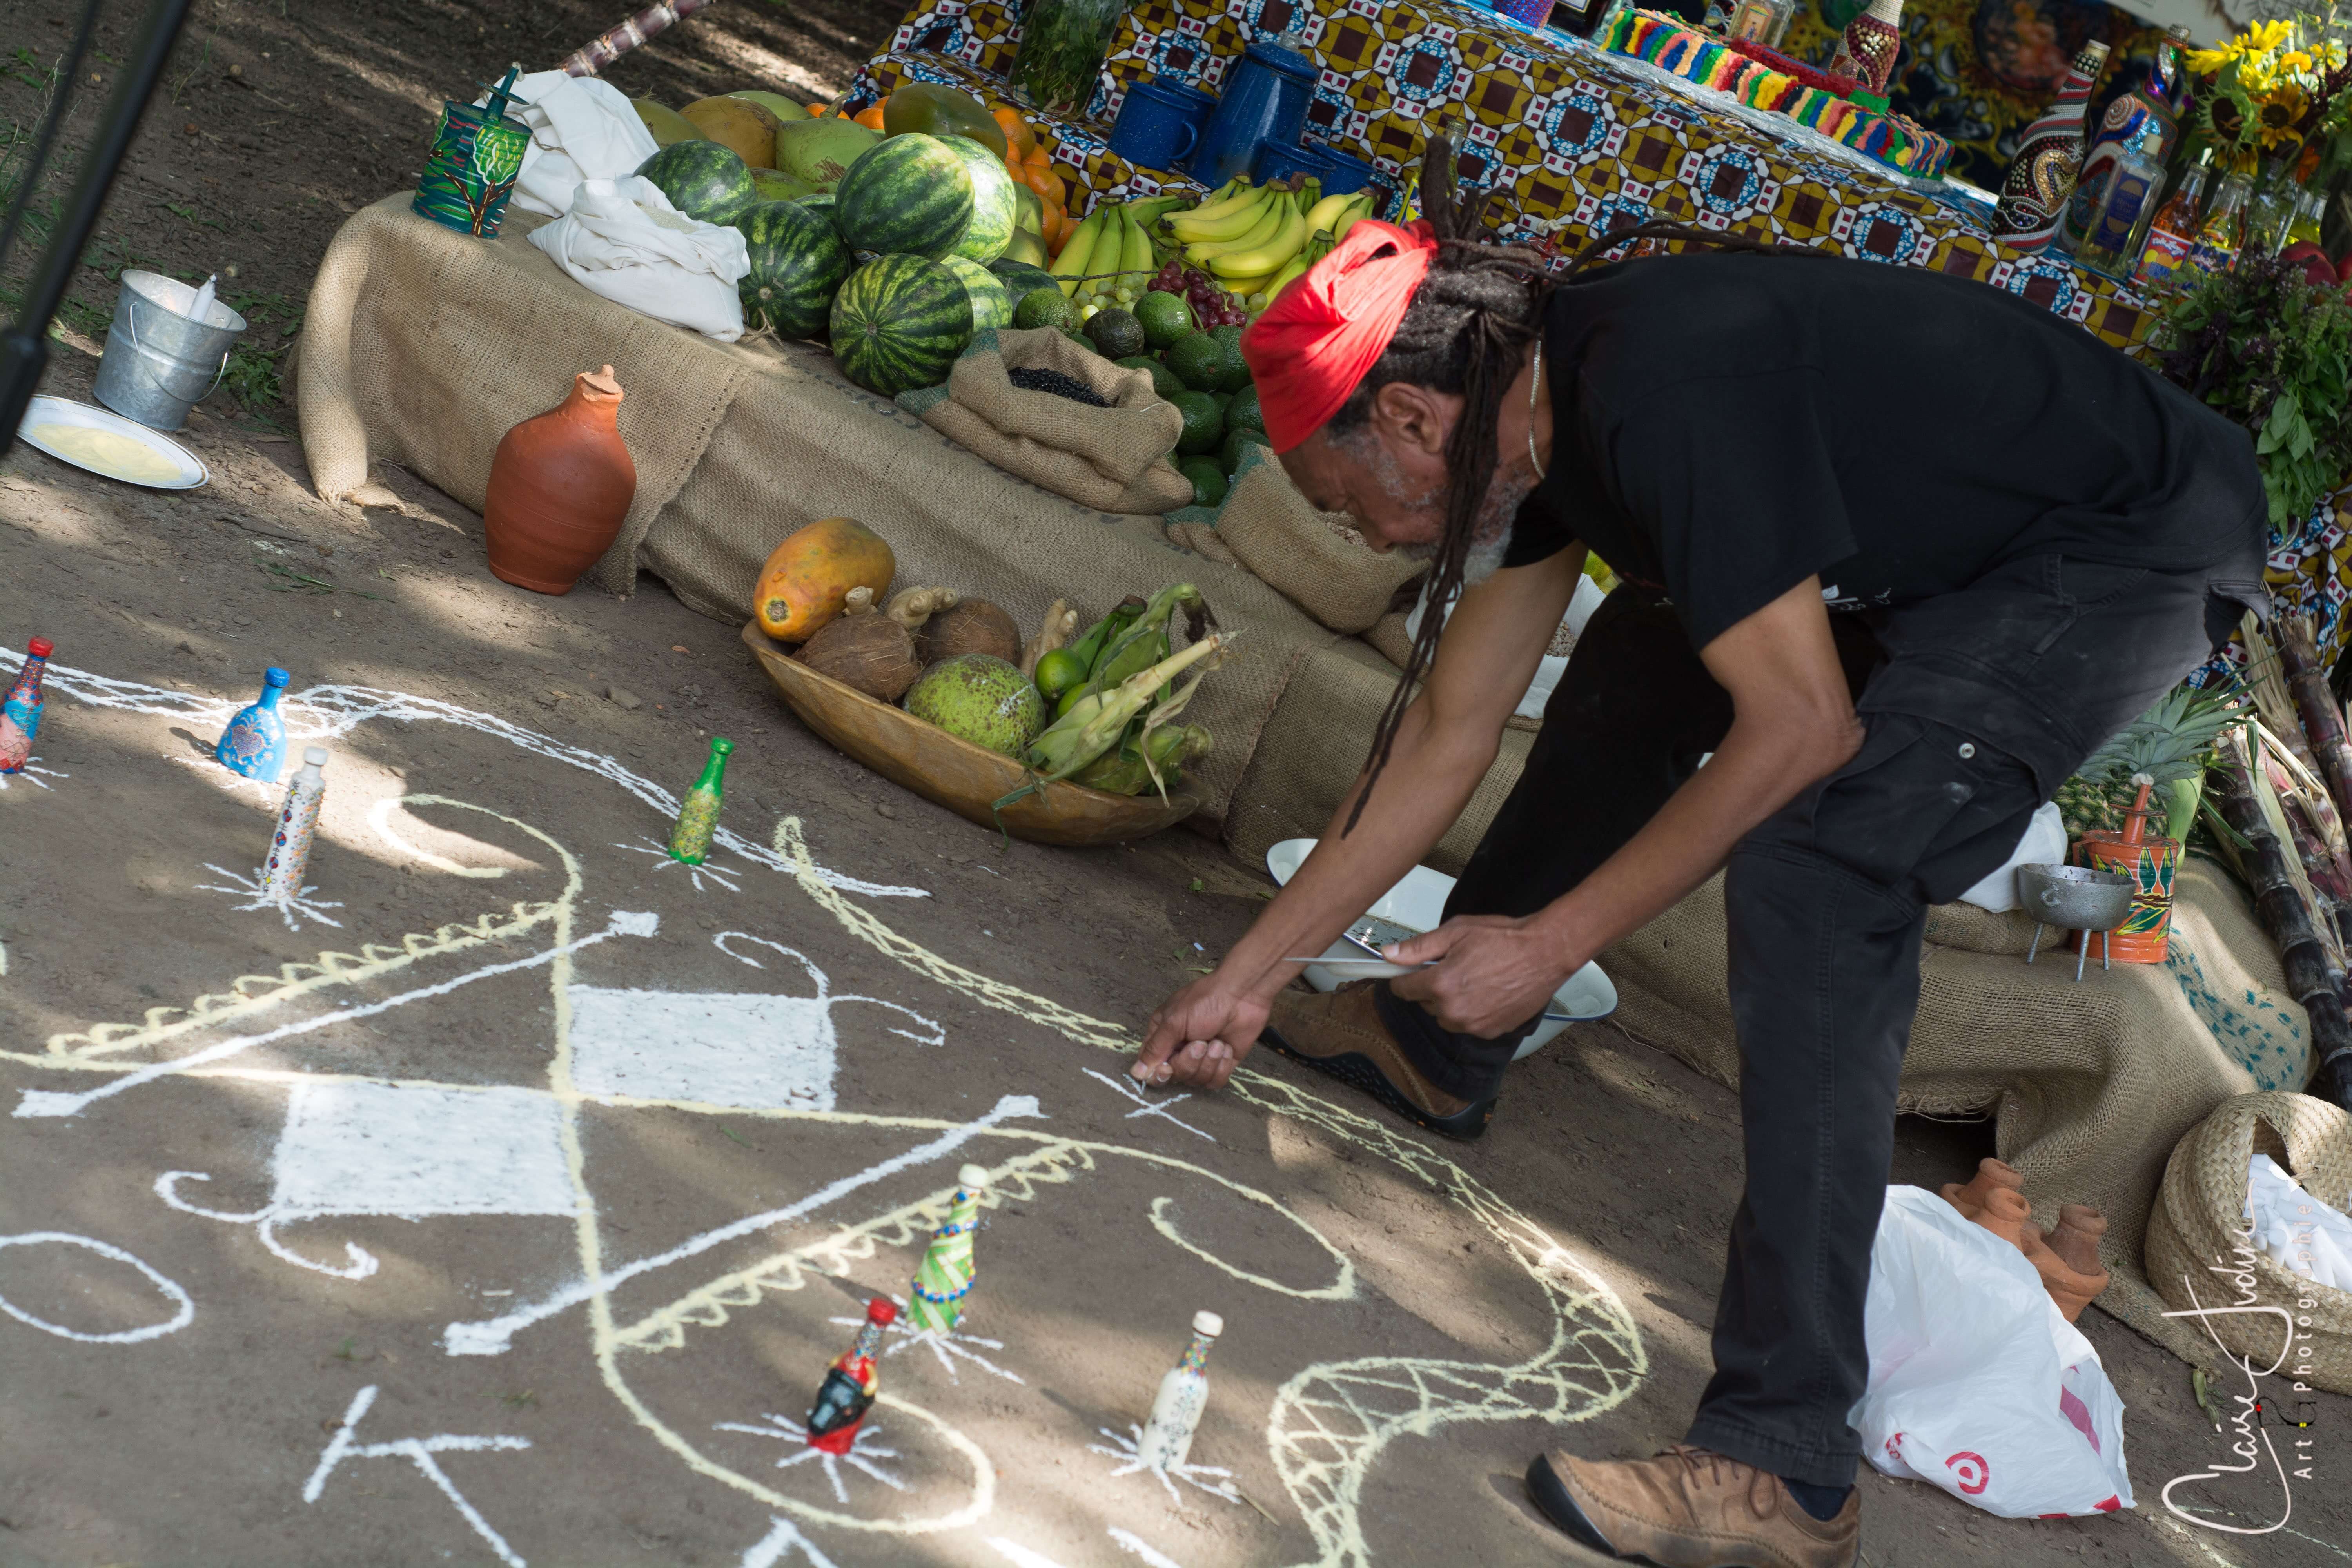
{"x": 1314, "y": 558}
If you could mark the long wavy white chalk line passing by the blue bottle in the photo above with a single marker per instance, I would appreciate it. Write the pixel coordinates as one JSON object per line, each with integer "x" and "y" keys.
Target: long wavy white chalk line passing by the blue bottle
{"x": 330, "y": 713}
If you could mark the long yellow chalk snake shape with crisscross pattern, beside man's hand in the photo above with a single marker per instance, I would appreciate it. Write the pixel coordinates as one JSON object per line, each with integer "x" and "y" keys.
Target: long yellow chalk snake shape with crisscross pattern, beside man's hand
{"x": 1332, "y": 1421}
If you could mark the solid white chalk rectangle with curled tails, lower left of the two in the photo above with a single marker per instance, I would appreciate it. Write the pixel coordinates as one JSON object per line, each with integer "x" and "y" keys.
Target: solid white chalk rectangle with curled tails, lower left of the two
{"x": 403, "y": 1151}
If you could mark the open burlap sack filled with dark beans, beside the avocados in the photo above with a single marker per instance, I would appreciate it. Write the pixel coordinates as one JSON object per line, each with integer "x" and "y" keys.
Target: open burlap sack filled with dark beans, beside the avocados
{"x": 1111, "y": 460}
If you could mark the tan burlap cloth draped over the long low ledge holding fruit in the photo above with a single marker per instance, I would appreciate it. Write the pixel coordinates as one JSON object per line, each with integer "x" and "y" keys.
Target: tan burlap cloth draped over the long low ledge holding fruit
{"x": 425, "y": 347}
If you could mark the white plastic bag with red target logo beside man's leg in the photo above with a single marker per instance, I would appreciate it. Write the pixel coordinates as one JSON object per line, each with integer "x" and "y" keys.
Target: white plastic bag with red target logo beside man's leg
{"x": 1977, "y": 1381}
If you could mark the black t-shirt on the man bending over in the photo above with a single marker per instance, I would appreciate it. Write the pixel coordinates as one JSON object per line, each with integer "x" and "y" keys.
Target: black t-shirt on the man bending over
{"x": 1730, "y": 424}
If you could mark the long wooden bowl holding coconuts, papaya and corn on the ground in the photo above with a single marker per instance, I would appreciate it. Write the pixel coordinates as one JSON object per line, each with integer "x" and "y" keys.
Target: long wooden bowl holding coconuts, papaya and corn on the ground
{"x": 963, "y": 777}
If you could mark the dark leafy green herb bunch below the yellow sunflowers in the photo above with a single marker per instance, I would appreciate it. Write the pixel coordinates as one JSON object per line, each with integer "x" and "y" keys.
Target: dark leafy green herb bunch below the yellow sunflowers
{"x": 2276, "y": 354}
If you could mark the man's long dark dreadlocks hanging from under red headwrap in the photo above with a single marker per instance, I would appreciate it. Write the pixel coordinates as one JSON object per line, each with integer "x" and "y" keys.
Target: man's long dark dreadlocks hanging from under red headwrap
{"x": 1464, "y": 335}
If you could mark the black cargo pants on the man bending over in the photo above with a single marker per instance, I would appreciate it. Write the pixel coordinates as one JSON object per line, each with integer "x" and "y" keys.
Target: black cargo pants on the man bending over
{"x": 1984, "y": 704}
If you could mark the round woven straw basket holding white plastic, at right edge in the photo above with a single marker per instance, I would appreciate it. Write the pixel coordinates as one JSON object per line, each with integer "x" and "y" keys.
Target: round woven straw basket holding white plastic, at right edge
{"x": 2200, "y": 1257}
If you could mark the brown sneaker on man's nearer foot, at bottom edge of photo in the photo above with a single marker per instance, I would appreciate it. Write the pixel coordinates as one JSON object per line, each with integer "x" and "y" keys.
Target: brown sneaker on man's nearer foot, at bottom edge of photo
{"x": 1692, "y": 1508}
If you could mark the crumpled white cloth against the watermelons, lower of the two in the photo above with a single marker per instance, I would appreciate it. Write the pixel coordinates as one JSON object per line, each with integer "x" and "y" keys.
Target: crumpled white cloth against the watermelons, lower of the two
{"x": 627, "y": 243}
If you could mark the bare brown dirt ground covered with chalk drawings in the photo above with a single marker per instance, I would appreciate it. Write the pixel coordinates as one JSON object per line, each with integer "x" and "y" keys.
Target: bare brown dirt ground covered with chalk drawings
{"x": 323, "y": 1294}
